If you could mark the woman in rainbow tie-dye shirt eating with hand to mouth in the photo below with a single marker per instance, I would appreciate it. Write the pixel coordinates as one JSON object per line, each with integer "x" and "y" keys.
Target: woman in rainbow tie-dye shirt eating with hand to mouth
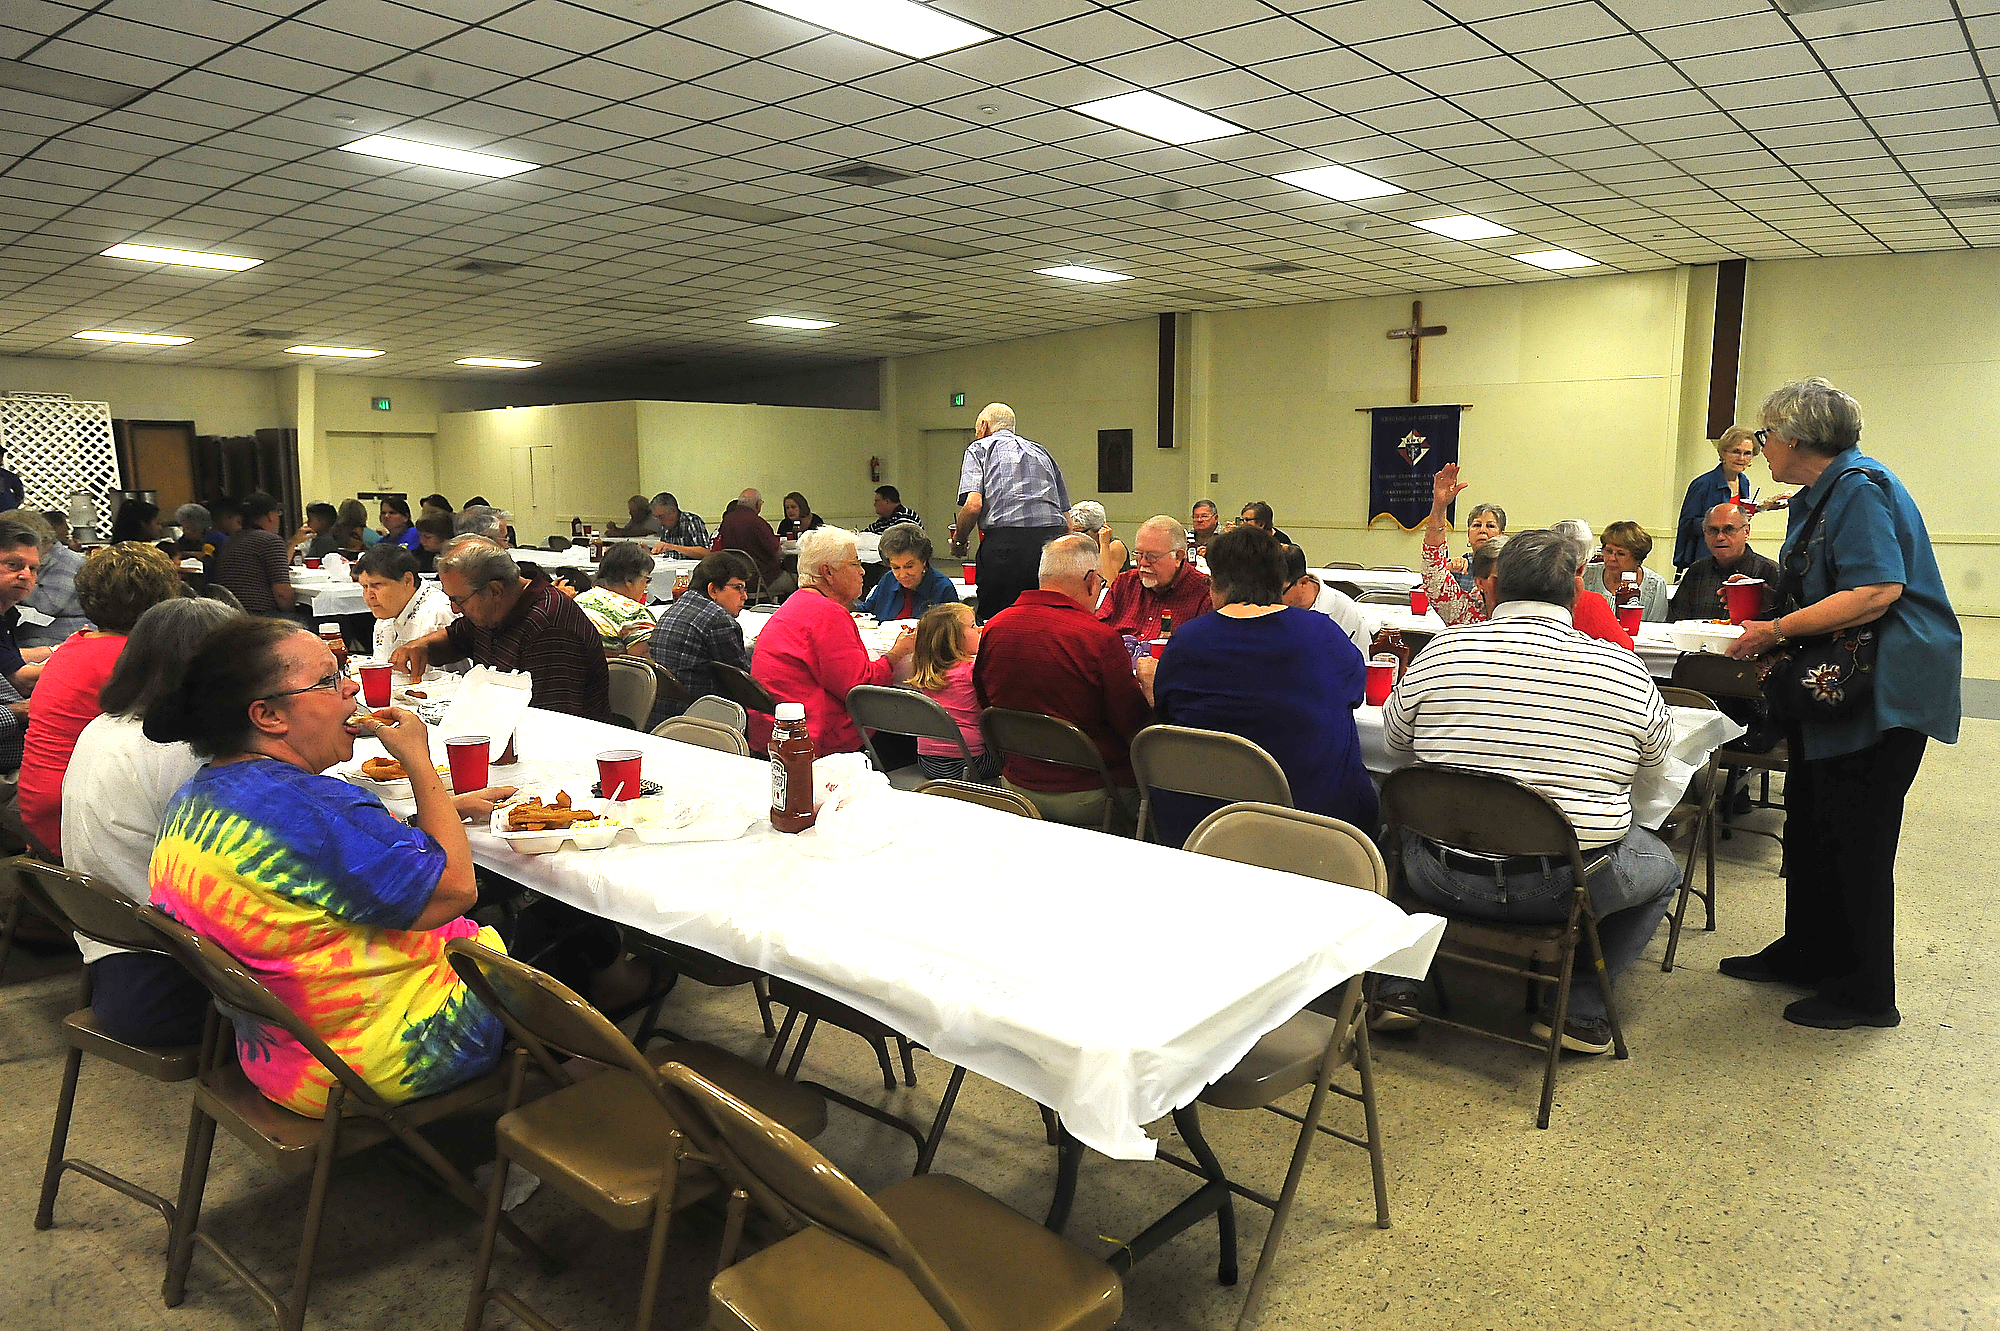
{"x": 311, "y": 884}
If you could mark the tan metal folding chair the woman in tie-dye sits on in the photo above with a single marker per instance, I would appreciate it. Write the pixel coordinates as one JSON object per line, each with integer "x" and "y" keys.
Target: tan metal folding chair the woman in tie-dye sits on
{"x": 357, "y": 1118}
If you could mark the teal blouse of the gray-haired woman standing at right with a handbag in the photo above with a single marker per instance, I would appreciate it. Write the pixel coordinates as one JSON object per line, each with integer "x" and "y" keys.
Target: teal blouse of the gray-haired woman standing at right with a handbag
{"x": 1869, "y": 535}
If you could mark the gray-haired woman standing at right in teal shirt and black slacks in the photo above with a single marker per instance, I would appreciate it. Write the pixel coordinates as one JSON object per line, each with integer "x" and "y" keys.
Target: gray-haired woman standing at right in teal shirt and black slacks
{"x": 1857, "y": 563}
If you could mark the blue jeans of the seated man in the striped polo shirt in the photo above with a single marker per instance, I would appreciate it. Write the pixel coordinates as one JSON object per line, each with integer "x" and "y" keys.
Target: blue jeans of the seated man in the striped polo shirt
{"x": 1631, "y": 898}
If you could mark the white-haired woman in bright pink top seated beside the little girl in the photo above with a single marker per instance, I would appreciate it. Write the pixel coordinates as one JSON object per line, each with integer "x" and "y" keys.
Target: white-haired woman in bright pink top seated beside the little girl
{"x": 811, "y": 651}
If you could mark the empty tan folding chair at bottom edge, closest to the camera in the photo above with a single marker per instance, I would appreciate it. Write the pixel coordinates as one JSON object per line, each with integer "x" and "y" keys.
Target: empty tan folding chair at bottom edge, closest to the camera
{"x": 921, "y": 1254}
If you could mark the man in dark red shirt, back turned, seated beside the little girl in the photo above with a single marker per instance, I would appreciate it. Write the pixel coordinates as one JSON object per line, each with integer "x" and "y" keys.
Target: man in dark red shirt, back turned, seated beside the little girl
{"x": 1049, "y": 655}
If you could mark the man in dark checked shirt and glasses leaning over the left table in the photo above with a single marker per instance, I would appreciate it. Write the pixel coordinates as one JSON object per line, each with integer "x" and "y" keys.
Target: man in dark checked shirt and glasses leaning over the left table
{"x": 513, "y": 623}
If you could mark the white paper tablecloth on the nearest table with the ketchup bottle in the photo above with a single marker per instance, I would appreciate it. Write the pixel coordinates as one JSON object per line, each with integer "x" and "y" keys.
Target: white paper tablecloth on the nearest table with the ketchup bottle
{"x": 1099, "y": 976}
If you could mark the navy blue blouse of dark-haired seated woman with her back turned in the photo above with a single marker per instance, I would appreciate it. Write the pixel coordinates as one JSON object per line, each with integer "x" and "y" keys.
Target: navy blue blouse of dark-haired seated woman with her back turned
{"x": 1287, "y": 682}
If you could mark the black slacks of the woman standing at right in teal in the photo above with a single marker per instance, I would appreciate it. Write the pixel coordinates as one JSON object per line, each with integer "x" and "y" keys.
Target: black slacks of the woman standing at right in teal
{"x": 1843, "y": 818}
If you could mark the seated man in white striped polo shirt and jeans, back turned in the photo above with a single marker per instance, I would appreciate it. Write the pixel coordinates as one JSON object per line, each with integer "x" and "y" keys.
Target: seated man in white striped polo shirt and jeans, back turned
{"x": 1531, "y": 698}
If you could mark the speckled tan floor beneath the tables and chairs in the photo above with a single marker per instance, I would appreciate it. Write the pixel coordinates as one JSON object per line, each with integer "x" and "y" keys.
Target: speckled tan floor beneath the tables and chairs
{"x": 1737, "y": 1172}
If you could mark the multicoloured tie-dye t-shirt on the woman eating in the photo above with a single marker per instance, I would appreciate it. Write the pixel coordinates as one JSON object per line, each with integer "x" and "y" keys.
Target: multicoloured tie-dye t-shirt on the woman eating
{"x": 313, "y": 886}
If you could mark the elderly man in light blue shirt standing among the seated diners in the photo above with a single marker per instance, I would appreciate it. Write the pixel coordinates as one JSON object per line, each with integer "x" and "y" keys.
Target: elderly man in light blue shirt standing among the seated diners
{"x": 1017, "y": 497}
